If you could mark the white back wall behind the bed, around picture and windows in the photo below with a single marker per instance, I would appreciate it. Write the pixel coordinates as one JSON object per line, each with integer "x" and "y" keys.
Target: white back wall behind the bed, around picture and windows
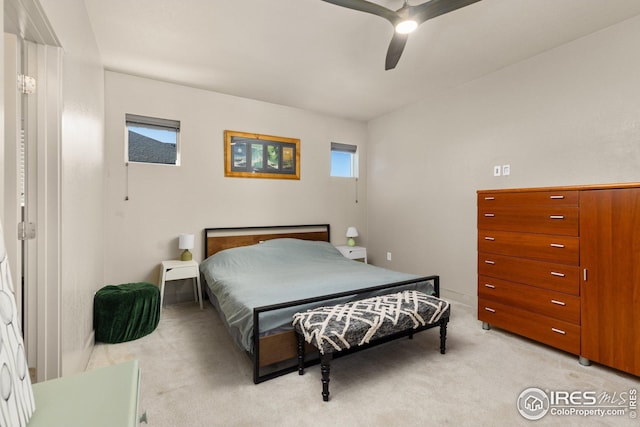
{"x": 165, "y": 201}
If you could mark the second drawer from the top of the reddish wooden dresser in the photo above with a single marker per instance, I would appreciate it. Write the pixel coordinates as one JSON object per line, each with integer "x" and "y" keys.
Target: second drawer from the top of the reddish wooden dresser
{"x": 561, "y": 220}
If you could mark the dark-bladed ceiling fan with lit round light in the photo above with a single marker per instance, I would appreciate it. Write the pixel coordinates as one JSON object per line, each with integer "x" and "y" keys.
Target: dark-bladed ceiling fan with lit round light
{"x": 405, "y": 20}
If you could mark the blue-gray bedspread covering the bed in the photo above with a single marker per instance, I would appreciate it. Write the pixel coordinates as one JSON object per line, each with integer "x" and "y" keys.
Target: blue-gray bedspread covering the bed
{"x": 283, "y": 270}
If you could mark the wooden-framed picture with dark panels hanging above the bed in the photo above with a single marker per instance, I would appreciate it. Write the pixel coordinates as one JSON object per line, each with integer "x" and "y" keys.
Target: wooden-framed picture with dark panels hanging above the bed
{"x": 251, "y": 155}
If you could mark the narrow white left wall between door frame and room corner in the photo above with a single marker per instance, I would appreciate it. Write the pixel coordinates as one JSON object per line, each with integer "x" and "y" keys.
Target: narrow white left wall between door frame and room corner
{"x": 81, "y": 180}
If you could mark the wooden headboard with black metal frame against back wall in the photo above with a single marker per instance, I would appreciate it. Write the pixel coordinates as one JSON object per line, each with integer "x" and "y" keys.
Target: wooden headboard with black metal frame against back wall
{"x": 218, "y": 239}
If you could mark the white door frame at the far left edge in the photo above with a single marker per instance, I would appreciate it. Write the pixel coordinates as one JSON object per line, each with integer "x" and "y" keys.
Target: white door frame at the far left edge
{"x": 42, "y": 274}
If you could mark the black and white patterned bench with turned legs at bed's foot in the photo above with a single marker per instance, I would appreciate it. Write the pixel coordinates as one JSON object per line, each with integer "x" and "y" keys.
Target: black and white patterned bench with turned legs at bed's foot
{"x": 336, "y": 328}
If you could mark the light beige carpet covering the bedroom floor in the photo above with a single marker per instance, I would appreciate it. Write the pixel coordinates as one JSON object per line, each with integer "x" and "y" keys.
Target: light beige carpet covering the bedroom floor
{"x": 193, "y": 375}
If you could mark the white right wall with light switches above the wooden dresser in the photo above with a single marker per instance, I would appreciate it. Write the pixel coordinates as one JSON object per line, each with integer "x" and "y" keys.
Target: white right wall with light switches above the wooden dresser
{"x": 568, "y": 116}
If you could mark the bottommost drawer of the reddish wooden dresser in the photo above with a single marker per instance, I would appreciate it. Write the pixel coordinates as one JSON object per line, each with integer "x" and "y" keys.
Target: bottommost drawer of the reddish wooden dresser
{"x": 557, "y": 333}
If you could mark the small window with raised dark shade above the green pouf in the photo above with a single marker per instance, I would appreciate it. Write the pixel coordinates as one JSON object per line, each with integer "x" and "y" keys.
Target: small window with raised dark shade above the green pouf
{"x": 152, "y": 140}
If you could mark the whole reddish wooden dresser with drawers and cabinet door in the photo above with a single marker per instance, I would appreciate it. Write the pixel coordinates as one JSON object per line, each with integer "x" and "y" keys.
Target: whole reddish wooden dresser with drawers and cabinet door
{"x": 560, "y": 265}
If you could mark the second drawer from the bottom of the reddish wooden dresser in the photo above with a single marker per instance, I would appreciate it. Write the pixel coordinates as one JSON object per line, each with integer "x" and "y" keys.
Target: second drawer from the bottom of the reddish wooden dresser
{"x": 548, "y": 303}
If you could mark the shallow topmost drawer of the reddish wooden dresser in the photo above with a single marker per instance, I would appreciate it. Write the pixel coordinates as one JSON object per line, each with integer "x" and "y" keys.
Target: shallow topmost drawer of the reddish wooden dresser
{"x": 529, "y": 198}
